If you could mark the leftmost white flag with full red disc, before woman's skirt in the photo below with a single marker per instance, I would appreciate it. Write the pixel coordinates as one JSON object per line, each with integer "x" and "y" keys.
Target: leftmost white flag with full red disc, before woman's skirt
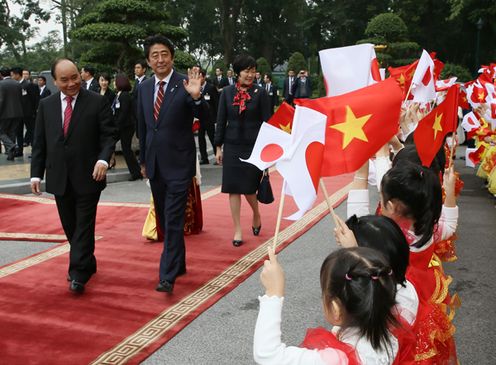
{"x": 271, "y": 144}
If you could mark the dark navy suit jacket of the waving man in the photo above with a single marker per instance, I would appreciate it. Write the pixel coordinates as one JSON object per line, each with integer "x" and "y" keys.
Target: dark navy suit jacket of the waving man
{"x": 167, "y": 144}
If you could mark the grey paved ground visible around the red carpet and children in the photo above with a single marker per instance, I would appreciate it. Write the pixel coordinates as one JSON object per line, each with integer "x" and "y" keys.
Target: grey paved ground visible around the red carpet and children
{"x": 223, "y": 334}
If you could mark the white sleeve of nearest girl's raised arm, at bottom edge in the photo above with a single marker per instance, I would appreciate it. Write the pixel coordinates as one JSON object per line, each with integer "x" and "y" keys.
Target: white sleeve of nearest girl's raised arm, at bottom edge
{"x": 268, "y": 348}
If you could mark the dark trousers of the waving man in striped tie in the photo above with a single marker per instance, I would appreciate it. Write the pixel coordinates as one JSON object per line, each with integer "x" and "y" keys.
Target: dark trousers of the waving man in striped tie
{"x": 170, "y": 199}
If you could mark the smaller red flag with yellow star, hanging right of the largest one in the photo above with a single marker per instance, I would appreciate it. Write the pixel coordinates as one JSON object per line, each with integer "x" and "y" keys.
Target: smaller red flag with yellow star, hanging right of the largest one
{"x": 431, "y": 130}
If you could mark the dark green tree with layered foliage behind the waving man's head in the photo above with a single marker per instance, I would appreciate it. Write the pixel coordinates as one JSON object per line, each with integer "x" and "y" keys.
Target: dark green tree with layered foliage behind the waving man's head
{"x": 116, "y": 27}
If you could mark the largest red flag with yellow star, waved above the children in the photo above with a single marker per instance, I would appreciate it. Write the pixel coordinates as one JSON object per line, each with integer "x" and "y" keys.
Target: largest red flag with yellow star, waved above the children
{"x": 358, "y": 124}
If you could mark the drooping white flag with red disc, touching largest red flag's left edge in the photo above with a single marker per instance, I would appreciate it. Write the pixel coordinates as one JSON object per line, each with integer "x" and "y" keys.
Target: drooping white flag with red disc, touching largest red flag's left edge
{"x": 301, "y": 166}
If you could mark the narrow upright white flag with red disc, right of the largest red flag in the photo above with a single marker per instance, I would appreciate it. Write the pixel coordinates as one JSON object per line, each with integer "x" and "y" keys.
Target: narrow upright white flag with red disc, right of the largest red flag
{"x": 423, "y": 87}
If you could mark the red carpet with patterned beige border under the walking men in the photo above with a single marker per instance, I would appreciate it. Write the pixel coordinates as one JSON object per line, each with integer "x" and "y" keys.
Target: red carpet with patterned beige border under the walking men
{"x": 121, "y": 318}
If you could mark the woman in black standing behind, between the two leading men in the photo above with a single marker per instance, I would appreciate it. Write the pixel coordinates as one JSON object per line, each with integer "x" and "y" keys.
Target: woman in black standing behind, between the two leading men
{"x": 122, "y": 106}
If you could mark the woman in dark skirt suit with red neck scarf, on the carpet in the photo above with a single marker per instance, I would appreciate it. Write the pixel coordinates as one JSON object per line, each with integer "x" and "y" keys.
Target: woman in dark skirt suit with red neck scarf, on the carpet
{"x": 243, "y": 108}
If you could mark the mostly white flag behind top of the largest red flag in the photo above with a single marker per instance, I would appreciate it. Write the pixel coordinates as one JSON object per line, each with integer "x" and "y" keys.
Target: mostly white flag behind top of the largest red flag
{"x": 349, "y": 68}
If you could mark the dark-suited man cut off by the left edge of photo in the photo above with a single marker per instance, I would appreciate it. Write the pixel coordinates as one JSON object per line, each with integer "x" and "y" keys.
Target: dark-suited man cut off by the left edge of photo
{"x": 10, "y": 111}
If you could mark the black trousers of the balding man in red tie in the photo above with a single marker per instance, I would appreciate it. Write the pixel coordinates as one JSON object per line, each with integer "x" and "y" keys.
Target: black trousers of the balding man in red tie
{"x": 77, "y": 213}
